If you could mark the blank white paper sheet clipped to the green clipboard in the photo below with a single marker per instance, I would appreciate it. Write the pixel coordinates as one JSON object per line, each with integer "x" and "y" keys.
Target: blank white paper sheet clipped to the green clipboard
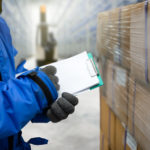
{"x": 74, "y": 74}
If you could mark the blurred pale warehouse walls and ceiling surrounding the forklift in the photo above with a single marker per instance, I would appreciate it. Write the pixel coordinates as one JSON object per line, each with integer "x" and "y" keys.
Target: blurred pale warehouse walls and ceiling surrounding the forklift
{"x": 75, "y": 23}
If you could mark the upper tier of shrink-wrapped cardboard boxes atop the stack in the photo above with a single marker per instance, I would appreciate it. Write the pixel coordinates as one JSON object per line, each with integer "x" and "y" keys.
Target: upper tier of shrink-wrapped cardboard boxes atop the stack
{"x": 122, "y": 38}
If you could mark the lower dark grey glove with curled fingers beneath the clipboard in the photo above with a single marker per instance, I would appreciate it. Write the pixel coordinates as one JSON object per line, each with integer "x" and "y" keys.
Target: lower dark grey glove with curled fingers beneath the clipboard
{"x": 61, "y": 108}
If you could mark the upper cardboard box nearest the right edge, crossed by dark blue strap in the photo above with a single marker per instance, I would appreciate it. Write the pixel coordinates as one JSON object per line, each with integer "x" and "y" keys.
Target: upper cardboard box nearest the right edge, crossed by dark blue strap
{"x": 140, "y": 59}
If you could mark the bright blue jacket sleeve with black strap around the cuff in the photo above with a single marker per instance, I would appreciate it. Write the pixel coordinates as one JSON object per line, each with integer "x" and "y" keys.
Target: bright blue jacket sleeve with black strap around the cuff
{"x": 20, "y": 100}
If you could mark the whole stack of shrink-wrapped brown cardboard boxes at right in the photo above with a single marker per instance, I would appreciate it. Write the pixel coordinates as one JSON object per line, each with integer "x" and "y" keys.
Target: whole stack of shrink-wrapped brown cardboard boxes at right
{"x": 123, "y": 41}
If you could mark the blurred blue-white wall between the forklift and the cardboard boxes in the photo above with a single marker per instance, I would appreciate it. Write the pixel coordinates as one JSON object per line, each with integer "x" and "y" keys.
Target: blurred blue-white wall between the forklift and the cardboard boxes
{"x": 77, "y": 29}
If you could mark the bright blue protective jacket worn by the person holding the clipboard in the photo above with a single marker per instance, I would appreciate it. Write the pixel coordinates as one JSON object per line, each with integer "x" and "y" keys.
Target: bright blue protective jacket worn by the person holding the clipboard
{"x": 21, "y": 99}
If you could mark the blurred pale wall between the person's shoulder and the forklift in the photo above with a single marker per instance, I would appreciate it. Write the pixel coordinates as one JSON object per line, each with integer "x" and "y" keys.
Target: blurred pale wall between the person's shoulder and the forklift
{"x": 19, "y": 22}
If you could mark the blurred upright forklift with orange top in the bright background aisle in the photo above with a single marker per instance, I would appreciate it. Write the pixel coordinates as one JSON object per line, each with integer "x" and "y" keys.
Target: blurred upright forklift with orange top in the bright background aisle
{"x": 46, "y": 42}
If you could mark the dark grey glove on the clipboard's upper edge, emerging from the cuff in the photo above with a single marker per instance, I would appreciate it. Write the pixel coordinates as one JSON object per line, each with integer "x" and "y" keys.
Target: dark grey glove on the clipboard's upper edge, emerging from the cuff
{"x": 50, "y": 71}
